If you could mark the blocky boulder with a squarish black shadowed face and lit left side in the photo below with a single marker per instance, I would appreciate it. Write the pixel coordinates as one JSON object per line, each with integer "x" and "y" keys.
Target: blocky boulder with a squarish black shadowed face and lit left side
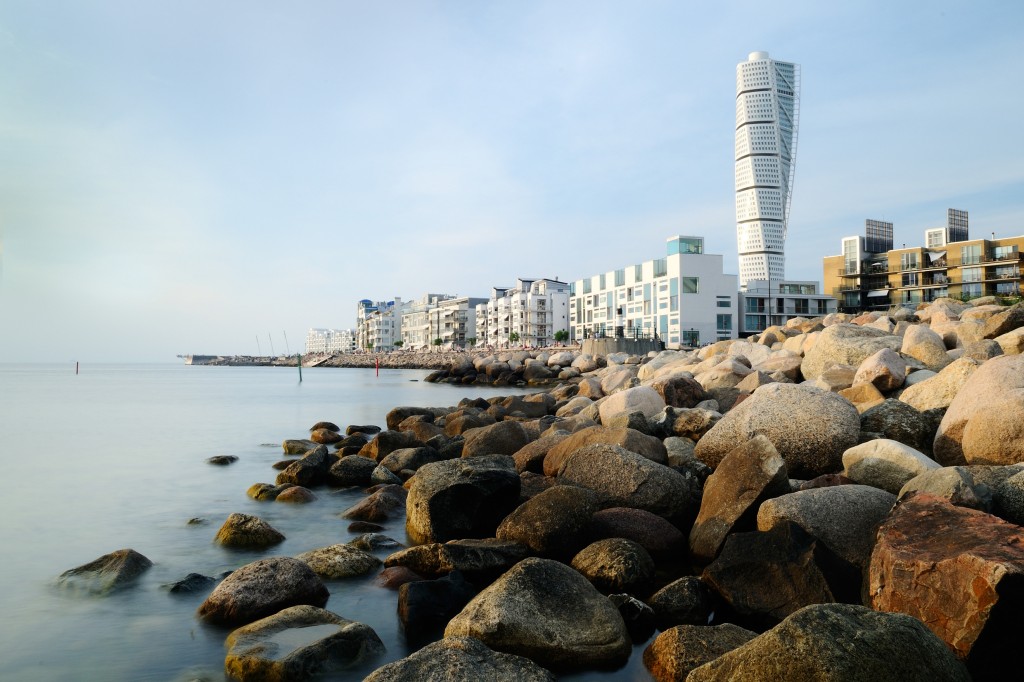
{"x": 464, "y": 498}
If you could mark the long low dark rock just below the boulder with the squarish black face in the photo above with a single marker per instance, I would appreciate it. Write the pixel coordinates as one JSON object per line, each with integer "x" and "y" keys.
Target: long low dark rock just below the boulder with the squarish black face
{"x": 480, "y": 561}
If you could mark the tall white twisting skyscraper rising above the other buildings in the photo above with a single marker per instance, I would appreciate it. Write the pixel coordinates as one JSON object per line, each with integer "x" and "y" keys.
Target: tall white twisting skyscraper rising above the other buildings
{"x": 767, "y": 121}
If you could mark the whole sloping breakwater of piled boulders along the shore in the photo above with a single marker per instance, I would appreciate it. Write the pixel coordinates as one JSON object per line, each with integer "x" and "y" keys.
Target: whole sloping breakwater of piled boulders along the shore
{"x": 837, "y": 499}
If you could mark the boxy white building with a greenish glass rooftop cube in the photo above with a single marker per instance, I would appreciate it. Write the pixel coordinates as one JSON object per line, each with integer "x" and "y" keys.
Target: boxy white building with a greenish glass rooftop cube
{"x": 684, "y": 300}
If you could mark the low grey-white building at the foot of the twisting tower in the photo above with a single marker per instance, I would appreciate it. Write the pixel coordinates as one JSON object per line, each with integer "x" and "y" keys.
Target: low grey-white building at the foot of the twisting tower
{"x": 761, "y": 308}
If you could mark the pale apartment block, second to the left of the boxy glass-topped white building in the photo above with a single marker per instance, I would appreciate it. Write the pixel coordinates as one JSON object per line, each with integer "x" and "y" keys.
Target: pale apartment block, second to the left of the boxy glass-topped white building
{"x": 451, "y": 319}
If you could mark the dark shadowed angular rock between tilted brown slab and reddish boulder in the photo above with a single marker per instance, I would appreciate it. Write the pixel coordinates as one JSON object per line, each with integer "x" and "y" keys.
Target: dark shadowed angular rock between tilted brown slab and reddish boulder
{"x": 765, "y": 577}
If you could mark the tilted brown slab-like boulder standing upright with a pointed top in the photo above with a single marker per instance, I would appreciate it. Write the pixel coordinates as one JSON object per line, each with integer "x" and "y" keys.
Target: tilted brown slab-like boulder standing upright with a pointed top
{"x": 746, "y": 478}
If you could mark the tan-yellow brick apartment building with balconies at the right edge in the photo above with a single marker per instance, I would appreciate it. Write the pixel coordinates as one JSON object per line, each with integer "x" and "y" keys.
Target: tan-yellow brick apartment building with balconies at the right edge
{"x": 950, "y": 265}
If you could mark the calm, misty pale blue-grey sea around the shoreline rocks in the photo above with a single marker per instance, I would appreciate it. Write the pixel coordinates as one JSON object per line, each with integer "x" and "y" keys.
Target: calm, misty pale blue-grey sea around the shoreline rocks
{"x": 115, "y": 456}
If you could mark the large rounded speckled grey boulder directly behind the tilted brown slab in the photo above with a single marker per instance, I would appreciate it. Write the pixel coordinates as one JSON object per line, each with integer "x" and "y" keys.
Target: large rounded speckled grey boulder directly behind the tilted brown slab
{"x": 810, "y": 429}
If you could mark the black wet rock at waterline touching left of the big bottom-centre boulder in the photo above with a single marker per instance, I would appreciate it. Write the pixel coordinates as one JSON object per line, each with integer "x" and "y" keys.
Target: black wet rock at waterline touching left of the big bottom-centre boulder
{"x": 426, "y": 607}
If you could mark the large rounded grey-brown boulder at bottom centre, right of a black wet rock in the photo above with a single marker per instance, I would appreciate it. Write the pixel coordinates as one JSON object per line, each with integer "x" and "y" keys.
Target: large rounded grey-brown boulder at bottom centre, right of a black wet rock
{"x": 549, "y": 613}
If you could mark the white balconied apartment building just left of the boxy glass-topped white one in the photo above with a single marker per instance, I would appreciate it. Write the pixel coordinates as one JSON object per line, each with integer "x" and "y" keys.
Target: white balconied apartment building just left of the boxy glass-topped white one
{"x": 528, "y": 315}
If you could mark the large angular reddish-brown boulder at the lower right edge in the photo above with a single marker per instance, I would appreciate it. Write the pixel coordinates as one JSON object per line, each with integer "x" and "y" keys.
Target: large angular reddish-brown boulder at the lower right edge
{"x": 959, "y": 571}
